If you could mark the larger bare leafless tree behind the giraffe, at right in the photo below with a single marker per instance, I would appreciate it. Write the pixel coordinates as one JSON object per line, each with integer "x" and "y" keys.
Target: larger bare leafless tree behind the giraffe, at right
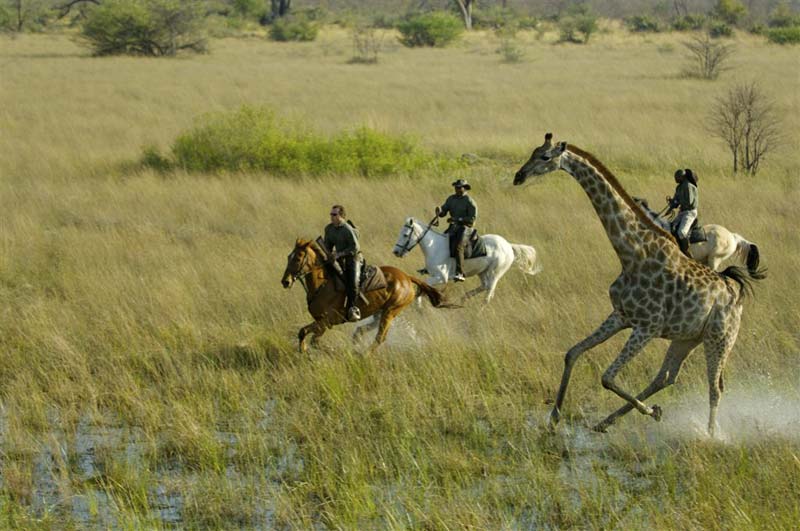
{"x": 747, "y": 121}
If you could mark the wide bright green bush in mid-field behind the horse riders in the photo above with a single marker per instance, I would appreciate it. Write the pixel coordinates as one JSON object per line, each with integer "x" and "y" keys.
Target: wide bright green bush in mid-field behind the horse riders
{"x": 254, "y": 139}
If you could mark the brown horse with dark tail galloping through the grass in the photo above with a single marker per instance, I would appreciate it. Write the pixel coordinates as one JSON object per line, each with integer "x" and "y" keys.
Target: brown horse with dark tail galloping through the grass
{"x": 326, "y": 304}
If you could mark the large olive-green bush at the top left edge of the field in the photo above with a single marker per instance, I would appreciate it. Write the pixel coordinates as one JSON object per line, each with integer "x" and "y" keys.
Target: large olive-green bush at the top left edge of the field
{"x": 145, "y": 27}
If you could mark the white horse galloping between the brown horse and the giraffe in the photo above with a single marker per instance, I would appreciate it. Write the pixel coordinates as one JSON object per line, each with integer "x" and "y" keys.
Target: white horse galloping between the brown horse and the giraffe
{"x": 500, "y": 254}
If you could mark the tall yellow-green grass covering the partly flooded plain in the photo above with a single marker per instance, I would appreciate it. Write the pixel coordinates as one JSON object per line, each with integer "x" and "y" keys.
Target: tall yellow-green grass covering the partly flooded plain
{"x": 142, "y": 314}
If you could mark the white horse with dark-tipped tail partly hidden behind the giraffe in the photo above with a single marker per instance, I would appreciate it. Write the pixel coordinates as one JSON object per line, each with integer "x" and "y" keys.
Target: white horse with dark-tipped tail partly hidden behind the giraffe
{"x": 720, "y": 244}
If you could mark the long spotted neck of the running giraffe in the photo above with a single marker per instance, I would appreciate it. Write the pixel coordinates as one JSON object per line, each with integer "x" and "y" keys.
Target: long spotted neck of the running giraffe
{"x": 626, "y": 230}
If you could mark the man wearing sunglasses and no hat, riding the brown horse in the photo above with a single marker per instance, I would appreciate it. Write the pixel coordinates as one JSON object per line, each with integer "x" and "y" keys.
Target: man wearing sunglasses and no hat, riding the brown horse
{"x": 341, "y": 239}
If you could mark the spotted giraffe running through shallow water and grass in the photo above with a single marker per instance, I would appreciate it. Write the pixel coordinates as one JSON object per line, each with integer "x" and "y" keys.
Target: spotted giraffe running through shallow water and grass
{"x": 661, "y": 293}
